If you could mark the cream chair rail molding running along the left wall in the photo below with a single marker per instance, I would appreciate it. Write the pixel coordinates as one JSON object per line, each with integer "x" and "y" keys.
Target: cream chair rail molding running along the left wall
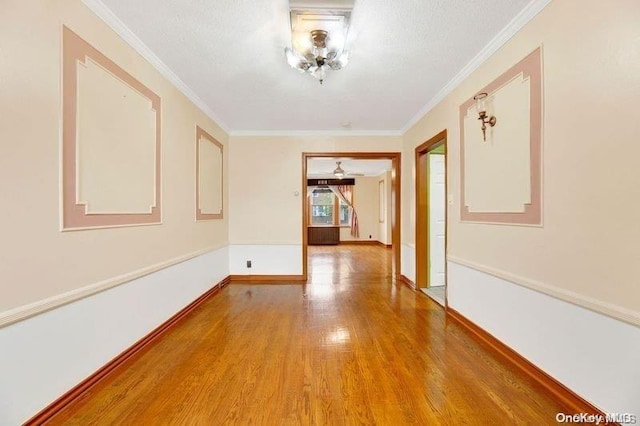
{"x": 23, "y": 312}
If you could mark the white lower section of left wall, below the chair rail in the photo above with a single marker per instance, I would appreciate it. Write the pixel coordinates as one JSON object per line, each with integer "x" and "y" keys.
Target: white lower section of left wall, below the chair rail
{"x": 45, "y": 356}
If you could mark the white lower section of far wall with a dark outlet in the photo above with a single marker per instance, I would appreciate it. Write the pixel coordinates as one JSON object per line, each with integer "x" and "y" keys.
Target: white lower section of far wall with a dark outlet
{"x": 265, "y": 259}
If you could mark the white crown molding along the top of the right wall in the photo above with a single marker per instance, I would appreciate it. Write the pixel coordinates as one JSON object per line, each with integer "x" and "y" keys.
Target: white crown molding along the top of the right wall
{"x": 516, "y": 24}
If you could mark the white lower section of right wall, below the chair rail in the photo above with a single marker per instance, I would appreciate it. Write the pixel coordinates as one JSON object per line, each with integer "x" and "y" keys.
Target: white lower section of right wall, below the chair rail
{"x": 594, "y": 355}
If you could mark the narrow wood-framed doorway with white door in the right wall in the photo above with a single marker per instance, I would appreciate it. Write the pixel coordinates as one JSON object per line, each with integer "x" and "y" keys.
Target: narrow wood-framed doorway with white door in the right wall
{"x": 431, "y": 217}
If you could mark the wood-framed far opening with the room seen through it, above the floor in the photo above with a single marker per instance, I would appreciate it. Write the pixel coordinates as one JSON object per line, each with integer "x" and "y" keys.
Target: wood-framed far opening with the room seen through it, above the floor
{"x": 351, "y": 198}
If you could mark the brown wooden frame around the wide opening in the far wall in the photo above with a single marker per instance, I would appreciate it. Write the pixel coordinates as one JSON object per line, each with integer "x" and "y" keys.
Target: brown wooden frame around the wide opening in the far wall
{"x": 394, "y": 198}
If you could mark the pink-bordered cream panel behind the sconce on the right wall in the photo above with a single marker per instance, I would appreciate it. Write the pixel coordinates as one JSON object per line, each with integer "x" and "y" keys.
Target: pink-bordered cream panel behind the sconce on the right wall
{"x": 501, "y": 177}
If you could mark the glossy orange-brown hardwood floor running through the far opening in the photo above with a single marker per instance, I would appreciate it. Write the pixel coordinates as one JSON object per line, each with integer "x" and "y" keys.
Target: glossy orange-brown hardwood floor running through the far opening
{"x": 350, "y": 347}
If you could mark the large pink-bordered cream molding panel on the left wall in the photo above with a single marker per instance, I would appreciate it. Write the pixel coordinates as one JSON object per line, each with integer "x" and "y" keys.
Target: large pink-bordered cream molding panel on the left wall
{"x": 111, "y": 136}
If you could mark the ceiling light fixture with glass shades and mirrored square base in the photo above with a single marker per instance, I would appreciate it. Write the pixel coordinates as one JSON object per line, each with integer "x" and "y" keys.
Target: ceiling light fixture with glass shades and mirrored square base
{"x": 318, "y": 37}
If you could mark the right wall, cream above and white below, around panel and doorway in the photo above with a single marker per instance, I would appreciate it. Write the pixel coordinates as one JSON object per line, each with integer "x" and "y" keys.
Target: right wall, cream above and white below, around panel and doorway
{"x": 582, "y": 255}
